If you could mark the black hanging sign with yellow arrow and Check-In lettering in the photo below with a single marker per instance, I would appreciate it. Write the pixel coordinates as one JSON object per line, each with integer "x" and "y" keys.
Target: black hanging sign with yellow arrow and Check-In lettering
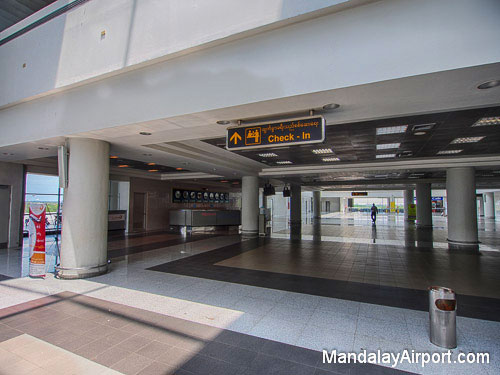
{"x": 283, "y": 133}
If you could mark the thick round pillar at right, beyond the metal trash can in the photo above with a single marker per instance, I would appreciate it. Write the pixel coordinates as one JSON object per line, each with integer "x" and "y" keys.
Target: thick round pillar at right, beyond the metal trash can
{"x": 462, "y": 211}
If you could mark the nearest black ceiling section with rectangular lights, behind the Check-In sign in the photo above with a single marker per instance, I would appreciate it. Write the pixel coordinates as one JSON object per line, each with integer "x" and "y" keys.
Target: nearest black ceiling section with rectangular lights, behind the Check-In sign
{"x": 358, "y": 141}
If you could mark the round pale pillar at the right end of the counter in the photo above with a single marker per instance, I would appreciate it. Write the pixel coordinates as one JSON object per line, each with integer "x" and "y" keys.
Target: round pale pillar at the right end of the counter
{"x": 250, "y": 206}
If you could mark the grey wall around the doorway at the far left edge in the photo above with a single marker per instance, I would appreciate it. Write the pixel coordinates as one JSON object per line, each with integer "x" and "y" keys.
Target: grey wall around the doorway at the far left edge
{"x": 13, "y": 175}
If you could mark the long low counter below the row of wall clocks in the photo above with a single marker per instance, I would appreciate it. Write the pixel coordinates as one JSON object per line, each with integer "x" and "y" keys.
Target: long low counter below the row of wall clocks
{"x": 205, "y": 218}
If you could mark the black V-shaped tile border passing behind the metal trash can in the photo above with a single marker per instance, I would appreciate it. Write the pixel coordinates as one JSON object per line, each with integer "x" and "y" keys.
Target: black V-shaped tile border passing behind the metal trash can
{"x": 202, "y": 265}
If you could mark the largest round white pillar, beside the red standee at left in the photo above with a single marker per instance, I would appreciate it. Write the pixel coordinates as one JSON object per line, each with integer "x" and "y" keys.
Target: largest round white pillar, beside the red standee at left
{"x": 84, "y": 240}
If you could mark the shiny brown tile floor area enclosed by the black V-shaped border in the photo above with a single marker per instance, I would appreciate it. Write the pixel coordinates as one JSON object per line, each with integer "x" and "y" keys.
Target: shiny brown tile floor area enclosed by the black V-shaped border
{"x": 416, "y": 267}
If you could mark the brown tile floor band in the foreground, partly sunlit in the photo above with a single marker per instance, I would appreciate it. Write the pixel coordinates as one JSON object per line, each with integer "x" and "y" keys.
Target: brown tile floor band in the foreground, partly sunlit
{"x": 122, "y": 335}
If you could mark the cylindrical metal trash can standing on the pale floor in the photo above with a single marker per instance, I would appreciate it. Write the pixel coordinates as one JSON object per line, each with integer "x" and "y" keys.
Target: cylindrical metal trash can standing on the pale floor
{"x": 443, "y": 317}
